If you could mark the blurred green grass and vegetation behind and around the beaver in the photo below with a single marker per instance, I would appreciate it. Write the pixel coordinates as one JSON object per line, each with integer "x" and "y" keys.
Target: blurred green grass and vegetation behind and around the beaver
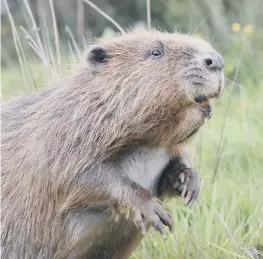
{"x": 40, "y": 39}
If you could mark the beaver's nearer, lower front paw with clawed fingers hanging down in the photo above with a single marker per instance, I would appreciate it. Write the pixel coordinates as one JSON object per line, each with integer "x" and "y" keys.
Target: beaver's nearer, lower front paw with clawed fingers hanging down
{"x": 152, "y": 211}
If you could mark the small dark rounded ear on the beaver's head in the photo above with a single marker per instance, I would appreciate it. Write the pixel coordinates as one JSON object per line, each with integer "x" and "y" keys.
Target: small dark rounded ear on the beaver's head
{"x": 97, "y": 55}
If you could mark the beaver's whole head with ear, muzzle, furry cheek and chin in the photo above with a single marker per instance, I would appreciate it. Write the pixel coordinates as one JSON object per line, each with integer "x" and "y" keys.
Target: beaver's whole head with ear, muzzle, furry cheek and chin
{"x": 147, "y": 79}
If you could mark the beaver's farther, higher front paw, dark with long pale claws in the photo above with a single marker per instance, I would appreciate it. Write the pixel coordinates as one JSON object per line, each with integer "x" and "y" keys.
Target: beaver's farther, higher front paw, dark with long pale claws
{"x": 187, "y": 184}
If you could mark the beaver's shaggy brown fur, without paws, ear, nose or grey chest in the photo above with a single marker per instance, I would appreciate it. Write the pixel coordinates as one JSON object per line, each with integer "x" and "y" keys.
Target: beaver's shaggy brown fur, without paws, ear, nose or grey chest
{"x": 59, "y": 146}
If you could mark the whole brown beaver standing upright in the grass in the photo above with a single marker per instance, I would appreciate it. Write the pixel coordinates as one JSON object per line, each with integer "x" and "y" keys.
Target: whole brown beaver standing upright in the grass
{"x": 84, "y": 160}
